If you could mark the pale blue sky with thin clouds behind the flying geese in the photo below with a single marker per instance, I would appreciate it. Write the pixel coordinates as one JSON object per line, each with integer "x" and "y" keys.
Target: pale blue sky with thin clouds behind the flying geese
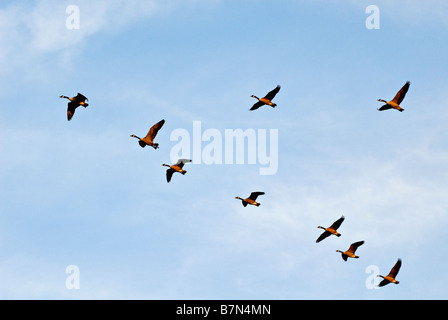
{"x": 84, "y": 193}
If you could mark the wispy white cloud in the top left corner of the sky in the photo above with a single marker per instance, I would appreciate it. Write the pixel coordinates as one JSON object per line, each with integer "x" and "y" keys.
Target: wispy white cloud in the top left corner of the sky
{"x": 32, "y": 29}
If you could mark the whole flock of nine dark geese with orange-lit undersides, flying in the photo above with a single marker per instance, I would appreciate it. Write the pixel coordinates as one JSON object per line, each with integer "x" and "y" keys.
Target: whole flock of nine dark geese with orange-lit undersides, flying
{"x": 148, "y": 140}
